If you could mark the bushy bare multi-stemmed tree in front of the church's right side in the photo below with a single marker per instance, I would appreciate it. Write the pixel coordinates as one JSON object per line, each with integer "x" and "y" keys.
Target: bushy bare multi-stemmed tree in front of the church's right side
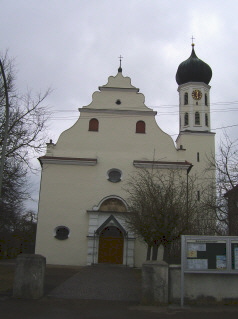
{"x": 164, "y": 205}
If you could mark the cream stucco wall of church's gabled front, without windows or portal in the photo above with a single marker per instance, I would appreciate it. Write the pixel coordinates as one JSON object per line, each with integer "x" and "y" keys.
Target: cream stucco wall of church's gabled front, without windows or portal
{"x": 68, "y": 191}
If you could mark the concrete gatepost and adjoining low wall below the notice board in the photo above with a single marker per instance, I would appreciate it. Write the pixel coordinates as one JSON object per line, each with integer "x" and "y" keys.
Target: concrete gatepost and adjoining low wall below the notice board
{"x": 161, "y": 284}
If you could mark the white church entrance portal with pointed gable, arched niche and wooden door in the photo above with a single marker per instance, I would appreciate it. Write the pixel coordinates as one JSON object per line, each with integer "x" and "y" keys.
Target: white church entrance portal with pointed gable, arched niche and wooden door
{"x": 110, "y": 238}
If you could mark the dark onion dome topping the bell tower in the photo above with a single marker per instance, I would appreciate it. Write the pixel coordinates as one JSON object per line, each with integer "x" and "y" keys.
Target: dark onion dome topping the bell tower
{"x": 193, "y": 70}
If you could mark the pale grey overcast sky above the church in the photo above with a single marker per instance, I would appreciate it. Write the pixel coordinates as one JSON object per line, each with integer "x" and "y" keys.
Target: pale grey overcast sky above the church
{"x": 73, "y": 47}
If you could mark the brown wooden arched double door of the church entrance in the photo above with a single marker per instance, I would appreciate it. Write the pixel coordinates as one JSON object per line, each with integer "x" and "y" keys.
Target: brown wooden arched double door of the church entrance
{"x": 111, "y": 242}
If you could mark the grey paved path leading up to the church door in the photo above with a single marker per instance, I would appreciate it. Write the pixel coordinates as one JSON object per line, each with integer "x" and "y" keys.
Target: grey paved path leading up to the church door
{"x": 102, "y": 282}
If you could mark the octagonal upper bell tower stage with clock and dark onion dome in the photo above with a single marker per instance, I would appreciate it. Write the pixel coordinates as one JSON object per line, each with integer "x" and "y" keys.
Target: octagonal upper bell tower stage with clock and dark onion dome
{"x": 193, "y": 76}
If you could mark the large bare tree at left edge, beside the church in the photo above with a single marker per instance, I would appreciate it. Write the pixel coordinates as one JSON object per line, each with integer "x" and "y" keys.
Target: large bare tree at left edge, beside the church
{"x": 22, "y": 122}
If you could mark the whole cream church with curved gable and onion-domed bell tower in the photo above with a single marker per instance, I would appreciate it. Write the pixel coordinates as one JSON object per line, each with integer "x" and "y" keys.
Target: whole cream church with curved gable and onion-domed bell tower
{"x": 83, "y": 201}
